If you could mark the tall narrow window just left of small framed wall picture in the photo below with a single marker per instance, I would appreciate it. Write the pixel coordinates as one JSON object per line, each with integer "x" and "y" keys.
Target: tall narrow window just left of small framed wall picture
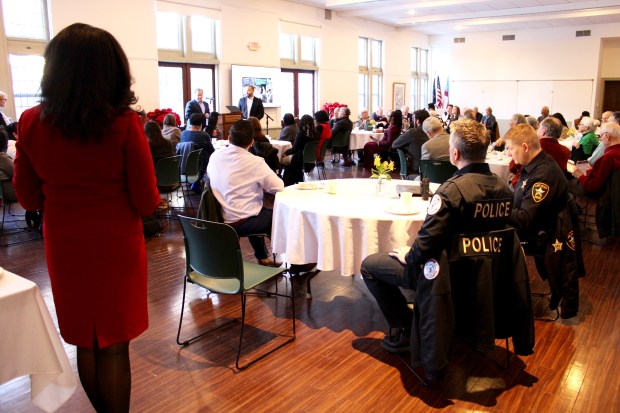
{"x": 370, "y": 78}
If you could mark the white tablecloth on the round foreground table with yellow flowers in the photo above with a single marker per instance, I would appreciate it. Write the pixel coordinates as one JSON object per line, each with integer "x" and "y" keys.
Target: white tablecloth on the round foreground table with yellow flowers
{"x": 338, "y": 231}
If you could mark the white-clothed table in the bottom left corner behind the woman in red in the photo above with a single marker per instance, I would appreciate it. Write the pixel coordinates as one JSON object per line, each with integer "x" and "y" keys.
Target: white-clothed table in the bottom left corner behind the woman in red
{"x": 30, "y": 345}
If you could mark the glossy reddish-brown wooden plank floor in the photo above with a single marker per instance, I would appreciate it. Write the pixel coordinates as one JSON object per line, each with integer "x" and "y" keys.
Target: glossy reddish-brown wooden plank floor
{"x": 336, "y": 363}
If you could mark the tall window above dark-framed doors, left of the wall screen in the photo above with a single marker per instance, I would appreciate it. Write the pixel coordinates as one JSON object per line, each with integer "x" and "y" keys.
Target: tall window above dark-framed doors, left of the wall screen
{"x": 187, "y": 40}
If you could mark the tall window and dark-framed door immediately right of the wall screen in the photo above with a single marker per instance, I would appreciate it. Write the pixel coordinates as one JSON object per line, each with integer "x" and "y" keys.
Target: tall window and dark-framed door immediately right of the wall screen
{"x": 299, "y": 51}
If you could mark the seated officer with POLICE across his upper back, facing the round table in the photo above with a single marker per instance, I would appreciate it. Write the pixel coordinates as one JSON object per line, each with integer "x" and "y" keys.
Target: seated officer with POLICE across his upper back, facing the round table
{"x": 472, "y": 200}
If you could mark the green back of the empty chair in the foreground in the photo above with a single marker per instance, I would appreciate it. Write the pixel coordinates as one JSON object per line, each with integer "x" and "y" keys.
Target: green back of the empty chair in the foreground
{"x": 212, "y": 250}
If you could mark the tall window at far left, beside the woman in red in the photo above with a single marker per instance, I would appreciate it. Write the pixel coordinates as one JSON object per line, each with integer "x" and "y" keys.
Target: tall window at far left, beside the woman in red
{"x": 27, "y": 33}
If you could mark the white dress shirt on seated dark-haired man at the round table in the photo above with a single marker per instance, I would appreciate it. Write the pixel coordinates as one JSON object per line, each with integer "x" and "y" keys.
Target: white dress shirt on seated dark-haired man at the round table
{"x": 238, "y": 179}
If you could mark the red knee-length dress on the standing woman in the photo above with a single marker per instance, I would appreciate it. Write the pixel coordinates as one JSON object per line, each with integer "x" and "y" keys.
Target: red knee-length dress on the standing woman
{"x": 93, "y": 196}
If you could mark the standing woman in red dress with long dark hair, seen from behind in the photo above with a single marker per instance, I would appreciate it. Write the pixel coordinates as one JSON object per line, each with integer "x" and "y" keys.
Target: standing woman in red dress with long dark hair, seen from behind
{"x": 83, "y": 158}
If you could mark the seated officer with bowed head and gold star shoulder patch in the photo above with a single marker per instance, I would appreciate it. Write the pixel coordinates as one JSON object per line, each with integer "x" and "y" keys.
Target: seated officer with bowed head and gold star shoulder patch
{"x": 541, "y": 192}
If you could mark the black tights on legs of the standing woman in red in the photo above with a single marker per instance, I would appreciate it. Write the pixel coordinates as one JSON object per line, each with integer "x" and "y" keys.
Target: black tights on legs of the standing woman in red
{"x": 105, "y": 374}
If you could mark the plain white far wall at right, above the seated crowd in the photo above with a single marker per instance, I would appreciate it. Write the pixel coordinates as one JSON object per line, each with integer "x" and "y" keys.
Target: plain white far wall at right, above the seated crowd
{"x": 540, "y": 67}
